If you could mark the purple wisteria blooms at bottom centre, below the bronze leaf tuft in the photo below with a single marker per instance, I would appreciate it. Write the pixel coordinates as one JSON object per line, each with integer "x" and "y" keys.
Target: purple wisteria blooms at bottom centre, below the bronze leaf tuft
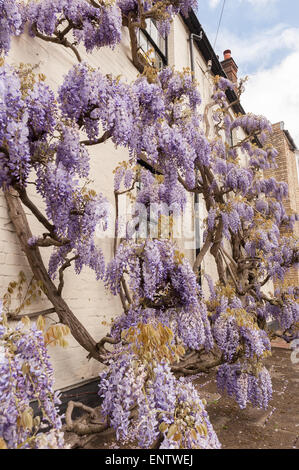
{"x": 177, "y": 418}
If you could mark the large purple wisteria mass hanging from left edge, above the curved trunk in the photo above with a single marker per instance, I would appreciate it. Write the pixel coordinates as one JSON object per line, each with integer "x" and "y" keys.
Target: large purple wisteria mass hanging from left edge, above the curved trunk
{"x": 28, "y": 140}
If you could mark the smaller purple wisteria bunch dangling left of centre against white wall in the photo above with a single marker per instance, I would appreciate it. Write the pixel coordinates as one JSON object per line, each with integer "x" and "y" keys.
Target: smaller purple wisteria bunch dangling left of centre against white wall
{"x": 76, "y": 213}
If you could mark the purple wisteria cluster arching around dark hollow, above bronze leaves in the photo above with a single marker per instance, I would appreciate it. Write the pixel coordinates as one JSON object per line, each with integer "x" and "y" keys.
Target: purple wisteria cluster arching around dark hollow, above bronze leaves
{"x": 164, "y": 289}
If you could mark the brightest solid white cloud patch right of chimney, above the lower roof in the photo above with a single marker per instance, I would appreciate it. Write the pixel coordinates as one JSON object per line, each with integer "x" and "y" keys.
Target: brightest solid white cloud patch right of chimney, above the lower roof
{"x": 274, "y": 92}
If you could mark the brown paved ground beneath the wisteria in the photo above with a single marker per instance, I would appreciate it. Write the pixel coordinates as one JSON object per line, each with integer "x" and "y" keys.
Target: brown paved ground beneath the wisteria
{"x": 275, "y": 428}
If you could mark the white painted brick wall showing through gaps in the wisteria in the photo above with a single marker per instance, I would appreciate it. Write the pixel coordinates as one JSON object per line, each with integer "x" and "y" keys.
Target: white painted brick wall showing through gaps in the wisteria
{"x": 87, "y": 297}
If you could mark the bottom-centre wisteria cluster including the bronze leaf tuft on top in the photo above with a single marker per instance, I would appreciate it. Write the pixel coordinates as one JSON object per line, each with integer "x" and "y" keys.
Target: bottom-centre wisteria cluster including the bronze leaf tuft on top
{"x": 139, "y": 378}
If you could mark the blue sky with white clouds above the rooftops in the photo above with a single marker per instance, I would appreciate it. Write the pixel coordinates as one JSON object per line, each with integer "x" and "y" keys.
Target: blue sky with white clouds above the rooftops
{"x": 263, "y": 36}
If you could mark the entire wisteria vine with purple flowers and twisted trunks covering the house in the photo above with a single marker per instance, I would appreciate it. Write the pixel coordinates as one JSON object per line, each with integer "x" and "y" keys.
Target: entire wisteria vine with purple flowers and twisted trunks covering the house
{"x": 169, "y": 327}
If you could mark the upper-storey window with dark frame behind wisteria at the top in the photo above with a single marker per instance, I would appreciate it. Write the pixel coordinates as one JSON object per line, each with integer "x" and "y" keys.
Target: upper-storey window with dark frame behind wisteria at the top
{"x": 152, "y": 39}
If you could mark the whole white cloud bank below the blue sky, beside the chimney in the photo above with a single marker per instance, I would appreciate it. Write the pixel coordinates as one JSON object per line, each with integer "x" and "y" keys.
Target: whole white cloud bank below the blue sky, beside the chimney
{"x": 272, "y": 89}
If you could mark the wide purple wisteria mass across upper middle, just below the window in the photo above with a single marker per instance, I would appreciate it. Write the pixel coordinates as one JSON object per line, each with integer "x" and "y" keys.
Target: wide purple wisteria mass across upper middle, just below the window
{"x": 145, "y": 117}
